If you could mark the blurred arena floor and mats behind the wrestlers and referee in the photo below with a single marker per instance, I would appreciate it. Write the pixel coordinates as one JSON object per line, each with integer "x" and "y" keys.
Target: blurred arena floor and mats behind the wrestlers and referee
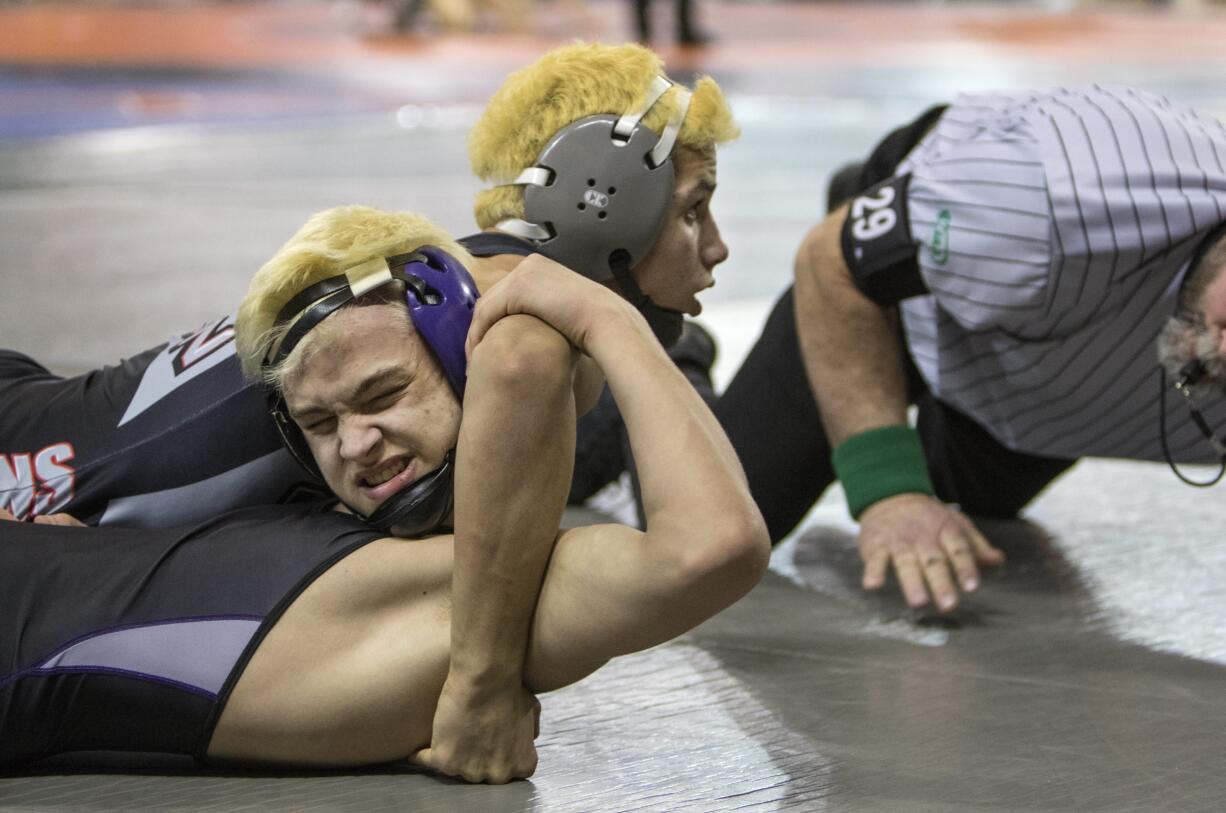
{"x": 154, "y": 154}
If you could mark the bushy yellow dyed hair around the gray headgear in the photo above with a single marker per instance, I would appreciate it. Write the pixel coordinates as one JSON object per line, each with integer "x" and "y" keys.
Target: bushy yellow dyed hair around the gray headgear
{"x": 569, "y": 84}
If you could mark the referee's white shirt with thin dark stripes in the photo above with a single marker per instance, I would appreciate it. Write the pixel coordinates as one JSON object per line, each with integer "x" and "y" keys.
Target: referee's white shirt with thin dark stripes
{"x": 1055, "y": 230}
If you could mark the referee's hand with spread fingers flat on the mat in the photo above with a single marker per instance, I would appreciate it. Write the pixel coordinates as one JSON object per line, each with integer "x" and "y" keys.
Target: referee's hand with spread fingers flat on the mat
{"x": 935, "y": 549}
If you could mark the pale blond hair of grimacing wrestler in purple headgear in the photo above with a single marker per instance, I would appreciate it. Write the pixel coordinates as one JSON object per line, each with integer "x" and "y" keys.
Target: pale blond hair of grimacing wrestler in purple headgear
{"x": 330, "y": 243}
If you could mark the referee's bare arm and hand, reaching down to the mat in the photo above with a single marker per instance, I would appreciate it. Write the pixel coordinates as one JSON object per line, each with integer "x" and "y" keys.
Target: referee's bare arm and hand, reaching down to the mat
{"x": 854, "y": 357}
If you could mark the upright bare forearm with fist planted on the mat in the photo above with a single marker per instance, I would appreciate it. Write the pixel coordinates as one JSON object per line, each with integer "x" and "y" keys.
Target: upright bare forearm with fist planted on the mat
{"x": 514, "y": 467}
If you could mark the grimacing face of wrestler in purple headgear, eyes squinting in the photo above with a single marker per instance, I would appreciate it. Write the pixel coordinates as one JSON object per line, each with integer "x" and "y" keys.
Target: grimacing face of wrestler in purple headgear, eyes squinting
{"x": 373, "y": 404}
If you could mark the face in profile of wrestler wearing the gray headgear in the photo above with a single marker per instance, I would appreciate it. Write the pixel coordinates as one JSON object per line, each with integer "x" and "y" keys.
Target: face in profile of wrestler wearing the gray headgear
{"x": 682, "y": 261}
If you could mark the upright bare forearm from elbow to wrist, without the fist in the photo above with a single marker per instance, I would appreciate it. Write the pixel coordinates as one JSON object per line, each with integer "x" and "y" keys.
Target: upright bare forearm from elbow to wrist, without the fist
{"x": 513, "y": 474}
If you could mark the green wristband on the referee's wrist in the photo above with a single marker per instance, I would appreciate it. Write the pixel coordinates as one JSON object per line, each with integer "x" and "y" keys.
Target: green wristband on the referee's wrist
{"x": 881, "y": 463}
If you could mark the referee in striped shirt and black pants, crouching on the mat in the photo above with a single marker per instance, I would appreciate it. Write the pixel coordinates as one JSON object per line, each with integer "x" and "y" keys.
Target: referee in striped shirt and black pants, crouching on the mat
{"x": 1012, "y": 264}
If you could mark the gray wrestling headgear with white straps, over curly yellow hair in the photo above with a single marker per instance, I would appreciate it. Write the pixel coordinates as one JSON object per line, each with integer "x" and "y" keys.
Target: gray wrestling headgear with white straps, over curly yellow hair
{"x": 599, "y": 196}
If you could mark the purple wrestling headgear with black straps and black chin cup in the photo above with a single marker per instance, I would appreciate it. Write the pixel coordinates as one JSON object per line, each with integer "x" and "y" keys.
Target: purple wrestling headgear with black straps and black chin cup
{"x": 441, "y": 296}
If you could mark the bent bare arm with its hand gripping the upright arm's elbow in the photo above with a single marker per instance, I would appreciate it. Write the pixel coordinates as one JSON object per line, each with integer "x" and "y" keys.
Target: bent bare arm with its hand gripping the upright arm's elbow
{"x": 611, "y": 589}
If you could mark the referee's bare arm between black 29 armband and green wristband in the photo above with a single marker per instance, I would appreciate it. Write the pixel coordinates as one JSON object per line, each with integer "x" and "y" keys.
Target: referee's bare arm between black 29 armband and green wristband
{"x": 851, "y": 345}
